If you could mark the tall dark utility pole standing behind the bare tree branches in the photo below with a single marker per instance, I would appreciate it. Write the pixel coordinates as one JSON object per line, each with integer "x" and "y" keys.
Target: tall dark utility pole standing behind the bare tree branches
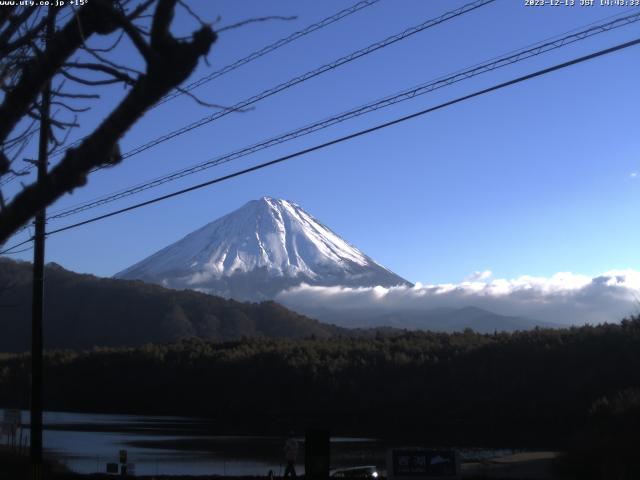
{"x": 38, "y": 279}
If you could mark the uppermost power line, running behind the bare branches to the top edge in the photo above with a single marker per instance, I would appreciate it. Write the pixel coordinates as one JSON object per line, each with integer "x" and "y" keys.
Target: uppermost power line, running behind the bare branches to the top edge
{"x": 230, "y": 67}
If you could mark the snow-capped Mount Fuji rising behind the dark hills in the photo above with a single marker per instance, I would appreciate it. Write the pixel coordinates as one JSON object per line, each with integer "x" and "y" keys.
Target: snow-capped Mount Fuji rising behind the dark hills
{"x": 253, "y": 253}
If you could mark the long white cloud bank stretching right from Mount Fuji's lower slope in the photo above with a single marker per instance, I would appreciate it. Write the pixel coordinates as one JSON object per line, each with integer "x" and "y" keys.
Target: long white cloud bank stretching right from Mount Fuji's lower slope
{"x": 565, "y": 297}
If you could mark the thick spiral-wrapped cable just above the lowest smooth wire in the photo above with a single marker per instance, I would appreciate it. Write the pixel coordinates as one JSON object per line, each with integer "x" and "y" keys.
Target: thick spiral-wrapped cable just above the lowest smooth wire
{"x": 405, "y": 95}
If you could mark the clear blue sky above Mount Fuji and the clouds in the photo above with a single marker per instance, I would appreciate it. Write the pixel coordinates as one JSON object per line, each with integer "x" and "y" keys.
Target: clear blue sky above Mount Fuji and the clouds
{"x": 535, "y": 179}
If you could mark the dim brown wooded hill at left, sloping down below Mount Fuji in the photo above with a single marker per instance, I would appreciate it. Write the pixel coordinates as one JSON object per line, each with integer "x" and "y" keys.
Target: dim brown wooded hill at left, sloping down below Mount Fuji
{"x": 83, "y": 311}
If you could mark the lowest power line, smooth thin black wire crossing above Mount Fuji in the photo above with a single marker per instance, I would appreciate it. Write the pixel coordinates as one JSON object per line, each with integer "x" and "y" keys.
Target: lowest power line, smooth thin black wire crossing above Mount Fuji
{"x": 356, "y": 134}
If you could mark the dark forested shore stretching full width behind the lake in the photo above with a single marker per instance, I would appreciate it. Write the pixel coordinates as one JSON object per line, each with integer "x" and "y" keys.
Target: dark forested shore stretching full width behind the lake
{"x": 532, "y": 388}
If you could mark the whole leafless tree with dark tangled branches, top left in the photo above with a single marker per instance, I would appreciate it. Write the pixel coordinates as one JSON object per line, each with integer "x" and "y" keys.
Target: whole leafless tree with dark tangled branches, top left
{"x": 75, "y": 56}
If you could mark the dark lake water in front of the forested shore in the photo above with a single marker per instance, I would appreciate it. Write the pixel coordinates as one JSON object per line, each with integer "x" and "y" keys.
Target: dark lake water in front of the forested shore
{"x": 85, "y": 443}
